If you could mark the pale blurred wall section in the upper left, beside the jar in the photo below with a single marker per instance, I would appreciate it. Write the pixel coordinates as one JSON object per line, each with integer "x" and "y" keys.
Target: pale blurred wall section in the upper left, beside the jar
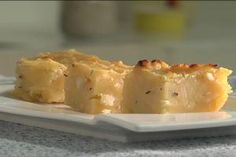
{"x": 41, "y": 15}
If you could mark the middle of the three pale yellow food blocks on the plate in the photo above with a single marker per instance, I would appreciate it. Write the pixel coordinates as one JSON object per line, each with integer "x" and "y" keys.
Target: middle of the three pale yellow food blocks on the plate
{"x": 93, "y": 87}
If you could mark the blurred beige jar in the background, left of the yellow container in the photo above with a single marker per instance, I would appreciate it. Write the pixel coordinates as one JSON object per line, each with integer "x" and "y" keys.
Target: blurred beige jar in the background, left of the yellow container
{"x": 89, "y": 18}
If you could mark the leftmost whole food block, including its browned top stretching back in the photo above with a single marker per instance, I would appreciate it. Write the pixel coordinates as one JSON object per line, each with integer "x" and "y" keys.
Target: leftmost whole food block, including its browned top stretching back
{"x": 41, "y": 79}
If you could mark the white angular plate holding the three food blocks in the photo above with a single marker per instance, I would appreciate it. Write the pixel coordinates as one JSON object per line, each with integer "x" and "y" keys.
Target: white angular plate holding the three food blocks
{"x": 118, "y": 127}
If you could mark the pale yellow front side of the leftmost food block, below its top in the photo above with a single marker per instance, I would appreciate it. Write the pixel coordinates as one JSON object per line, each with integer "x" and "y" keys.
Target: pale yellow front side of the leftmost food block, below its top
{"x": 40, "y": 80}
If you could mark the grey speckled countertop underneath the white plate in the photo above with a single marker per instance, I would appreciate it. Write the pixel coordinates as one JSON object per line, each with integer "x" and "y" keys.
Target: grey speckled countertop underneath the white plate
{"x": 20, "y": 140}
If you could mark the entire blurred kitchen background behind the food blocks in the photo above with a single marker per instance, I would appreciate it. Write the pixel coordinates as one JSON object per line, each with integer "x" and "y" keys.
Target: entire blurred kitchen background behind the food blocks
{"x": 175, "y": 31}
